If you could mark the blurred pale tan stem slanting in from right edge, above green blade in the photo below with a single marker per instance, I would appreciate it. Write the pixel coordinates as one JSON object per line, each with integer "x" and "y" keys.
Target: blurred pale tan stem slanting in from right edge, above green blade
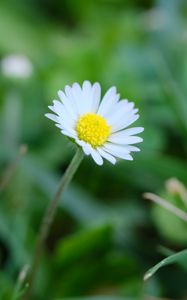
{"x": 170, "y": 207}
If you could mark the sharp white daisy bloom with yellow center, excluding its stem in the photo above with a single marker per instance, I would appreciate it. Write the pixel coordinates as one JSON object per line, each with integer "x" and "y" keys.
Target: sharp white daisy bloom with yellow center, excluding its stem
{"x": 99, "y": 127}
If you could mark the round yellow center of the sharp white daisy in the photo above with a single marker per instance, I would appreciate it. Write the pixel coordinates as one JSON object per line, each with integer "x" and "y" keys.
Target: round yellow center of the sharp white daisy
{"x": 93, "y": 129}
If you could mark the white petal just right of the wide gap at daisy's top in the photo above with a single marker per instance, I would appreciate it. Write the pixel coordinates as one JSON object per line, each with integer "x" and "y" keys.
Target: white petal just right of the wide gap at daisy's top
{"x": 109, "y": 99}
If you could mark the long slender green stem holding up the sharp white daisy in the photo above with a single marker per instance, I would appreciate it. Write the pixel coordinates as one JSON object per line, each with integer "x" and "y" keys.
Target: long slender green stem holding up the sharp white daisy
{"x": 49, "y": 216}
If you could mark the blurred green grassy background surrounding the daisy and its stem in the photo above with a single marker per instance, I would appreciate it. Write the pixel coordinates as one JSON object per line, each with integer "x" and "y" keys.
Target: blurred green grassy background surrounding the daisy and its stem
{"x": 105, "y": 235}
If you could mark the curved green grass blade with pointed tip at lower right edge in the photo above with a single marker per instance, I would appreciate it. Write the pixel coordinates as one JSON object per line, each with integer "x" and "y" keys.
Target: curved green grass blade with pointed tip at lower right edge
{"x": 180, "y": 257}
